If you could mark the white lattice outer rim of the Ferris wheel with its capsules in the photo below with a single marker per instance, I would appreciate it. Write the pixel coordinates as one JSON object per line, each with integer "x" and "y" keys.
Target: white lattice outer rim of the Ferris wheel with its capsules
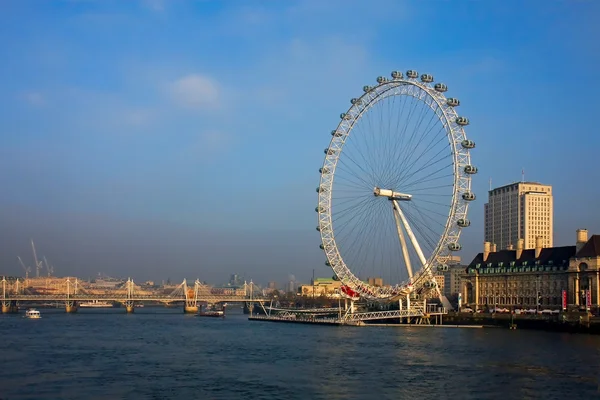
{"x": 461, "y": 181}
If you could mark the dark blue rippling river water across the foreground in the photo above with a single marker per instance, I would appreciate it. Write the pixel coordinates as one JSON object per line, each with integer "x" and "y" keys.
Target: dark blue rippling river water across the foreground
{"x": 162, "y": 354}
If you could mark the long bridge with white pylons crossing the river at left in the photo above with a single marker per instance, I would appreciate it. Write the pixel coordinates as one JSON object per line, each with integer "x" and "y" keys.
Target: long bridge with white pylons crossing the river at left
{"x": 71, "y": 292}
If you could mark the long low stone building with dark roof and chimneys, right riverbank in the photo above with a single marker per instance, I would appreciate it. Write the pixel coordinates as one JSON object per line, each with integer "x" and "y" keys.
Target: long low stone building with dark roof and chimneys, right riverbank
{"x": 535, "y": 278}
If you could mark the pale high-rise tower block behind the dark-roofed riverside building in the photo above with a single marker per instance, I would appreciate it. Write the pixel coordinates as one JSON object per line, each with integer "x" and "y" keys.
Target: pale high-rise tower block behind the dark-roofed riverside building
{"x": 521, "y": 210}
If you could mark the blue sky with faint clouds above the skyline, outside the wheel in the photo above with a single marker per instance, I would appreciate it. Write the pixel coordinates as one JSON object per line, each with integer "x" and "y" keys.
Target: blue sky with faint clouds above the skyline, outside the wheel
{"x": 182, "y": 138}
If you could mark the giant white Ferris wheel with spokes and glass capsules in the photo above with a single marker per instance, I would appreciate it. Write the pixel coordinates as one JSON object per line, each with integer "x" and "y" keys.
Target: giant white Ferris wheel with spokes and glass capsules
{"x": 395, "y": 188}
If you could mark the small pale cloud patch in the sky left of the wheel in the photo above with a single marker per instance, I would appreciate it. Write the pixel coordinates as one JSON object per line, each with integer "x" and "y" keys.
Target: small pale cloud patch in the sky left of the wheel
{"x": 196, "y": 91}
